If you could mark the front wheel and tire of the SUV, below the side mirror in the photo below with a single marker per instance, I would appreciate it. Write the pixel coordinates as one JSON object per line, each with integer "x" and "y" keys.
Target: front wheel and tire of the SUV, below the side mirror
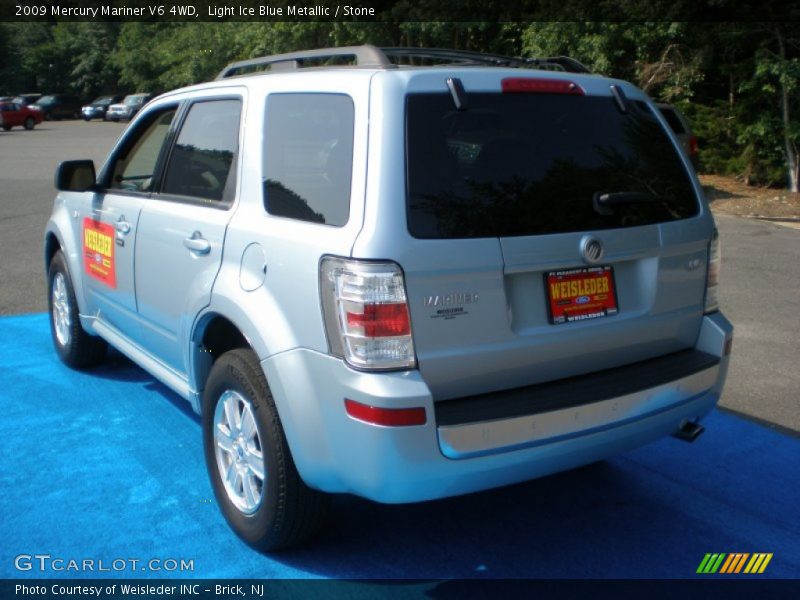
{"x": 74, "y": 346}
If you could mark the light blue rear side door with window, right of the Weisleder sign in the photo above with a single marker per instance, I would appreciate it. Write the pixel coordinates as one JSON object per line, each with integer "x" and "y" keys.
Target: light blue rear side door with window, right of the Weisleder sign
{"x": 182, "y": 228}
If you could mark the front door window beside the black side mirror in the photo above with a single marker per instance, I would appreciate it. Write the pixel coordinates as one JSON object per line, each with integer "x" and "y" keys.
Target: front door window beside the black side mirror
{"x": 136, "y": 165}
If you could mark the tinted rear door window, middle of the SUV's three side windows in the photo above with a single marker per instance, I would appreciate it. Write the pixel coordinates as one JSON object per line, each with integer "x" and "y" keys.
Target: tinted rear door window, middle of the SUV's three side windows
{"x": 201, "y": 162}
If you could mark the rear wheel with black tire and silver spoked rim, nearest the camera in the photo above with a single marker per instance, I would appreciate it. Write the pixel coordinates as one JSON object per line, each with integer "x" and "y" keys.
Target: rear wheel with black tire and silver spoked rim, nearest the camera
{"x": 270, "y": 509}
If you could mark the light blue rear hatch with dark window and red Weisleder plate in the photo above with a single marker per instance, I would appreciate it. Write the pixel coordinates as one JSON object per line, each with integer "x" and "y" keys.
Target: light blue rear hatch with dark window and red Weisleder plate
{"x": 556, "y": 232}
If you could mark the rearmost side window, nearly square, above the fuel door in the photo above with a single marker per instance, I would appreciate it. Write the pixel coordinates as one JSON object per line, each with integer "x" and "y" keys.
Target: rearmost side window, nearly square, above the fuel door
{"x": 308, "y": 157}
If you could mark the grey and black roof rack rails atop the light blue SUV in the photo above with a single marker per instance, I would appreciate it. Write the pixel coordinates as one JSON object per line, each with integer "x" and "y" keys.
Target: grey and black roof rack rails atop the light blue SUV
{"x": 368, "y": 56}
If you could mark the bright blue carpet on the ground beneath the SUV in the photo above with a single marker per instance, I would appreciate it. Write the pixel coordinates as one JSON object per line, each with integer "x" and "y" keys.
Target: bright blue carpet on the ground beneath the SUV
{"x": 109, "y": 465}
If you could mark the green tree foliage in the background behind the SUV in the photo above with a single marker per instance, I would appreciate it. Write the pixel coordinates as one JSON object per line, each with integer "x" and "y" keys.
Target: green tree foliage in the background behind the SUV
{"x": 736, "y": 82}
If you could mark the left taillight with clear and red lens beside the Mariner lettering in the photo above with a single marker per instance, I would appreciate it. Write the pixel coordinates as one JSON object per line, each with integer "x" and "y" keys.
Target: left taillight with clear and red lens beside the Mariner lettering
{"x": 366, "y": 313}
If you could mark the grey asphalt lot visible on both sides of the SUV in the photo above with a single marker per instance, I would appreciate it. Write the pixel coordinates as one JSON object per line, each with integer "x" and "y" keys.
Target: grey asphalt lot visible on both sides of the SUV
{"x": 760, "y": 287}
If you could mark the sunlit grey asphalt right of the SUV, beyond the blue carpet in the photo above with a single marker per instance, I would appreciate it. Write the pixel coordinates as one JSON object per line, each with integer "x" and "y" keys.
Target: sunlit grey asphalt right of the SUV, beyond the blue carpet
{"x": 760, "y": 294}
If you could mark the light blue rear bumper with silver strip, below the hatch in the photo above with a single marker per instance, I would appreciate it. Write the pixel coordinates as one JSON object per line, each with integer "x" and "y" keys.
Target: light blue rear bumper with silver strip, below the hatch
{"x": 336, "y": 453}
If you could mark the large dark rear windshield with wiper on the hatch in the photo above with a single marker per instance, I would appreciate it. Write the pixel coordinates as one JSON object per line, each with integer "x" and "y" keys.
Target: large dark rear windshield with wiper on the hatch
{"x": 530, "y": 164}
